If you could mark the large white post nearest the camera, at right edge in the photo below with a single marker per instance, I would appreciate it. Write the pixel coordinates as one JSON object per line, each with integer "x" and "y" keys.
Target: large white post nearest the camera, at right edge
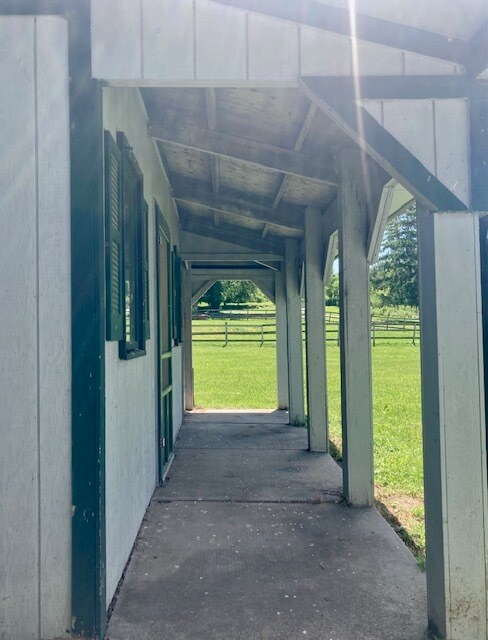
{"x": 453, "y": 415}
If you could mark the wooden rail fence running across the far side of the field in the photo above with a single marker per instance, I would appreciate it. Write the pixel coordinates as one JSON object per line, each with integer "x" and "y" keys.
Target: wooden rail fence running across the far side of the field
{"x": 234, "y": 331}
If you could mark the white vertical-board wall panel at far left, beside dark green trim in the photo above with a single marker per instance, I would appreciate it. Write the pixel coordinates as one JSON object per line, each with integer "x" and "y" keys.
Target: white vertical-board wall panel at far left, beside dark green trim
{"x": 35, "y": 330}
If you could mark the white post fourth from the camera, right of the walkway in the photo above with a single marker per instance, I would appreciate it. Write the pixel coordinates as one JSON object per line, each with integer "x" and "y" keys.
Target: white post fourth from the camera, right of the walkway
{"x": 294, "y": 333}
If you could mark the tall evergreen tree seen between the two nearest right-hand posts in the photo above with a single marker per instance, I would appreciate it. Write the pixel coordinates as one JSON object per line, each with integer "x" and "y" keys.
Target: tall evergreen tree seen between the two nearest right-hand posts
{"x": 395, "y": 277}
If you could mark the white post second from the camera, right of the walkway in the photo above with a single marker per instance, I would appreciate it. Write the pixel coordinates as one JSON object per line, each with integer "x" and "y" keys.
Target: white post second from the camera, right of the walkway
{"x": 355, "y": 334}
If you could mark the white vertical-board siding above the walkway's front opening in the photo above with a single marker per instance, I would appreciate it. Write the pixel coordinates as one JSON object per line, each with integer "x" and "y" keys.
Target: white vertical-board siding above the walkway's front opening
{"x": 199, "y": 42}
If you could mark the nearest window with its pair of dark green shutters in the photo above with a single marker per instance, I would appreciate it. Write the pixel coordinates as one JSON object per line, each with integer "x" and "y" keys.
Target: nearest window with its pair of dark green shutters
{"x": 127, "y": 260}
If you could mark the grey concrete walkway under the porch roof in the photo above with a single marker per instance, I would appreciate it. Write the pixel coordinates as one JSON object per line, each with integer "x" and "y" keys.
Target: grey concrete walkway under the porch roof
{"x": 249, "y": 540}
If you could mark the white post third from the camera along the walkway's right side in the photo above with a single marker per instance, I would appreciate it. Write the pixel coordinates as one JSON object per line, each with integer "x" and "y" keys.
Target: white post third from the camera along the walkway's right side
{"x": 318, "y": 436}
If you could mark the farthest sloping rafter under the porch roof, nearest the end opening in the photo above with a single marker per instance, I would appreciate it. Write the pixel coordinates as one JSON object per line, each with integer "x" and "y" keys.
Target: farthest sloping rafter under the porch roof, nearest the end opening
{"x": 230, "y": 233}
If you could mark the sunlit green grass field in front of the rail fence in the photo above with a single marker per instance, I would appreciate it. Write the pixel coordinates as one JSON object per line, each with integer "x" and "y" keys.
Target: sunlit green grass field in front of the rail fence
{"x": 220, "y": 384}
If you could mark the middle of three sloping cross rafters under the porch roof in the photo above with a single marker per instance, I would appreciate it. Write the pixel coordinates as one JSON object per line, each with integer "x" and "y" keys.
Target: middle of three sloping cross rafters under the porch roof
{"x": 241, "y": 213}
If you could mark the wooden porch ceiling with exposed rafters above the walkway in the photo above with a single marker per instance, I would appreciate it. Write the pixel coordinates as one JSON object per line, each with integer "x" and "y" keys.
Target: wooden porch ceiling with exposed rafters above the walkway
{"x": 270, "y": 154}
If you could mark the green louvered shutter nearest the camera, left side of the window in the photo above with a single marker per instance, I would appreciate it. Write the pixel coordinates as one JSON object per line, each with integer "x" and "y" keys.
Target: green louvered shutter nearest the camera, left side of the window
{"x": 113, "y": 239}
